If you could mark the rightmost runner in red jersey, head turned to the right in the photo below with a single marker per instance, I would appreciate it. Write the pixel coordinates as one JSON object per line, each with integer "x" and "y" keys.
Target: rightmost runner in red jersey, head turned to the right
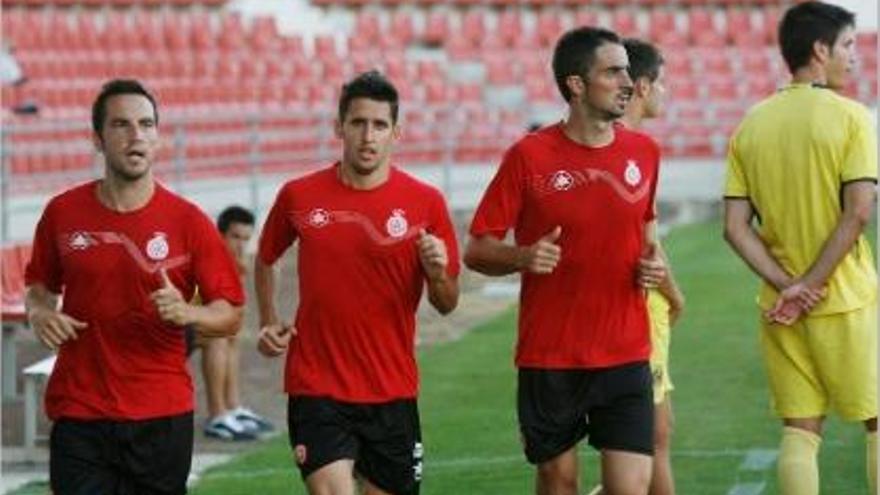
{"x": 579, "y": 196}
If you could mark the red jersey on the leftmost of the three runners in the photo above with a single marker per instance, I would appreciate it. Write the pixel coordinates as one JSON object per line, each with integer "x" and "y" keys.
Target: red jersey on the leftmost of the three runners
{"x": 127, "y": 364}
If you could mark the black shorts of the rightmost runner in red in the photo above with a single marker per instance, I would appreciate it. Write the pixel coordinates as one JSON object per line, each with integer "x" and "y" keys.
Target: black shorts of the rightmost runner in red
{"x": 558, "y": 408}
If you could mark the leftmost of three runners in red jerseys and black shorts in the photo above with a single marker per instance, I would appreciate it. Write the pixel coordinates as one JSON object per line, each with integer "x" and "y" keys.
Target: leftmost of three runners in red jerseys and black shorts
{"x": 126, "y": 254}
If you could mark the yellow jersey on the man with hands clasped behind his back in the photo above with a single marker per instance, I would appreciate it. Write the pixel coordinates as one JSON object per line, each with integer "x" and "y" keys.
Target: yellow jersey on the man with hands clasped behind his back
{"x": 790, "y": 157}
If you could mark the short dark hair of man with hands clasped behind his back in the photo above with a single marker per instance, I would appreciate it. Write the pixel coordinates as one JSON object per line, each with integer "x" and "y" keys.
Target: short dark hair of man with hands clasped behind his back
{"x": 805, "y": 24}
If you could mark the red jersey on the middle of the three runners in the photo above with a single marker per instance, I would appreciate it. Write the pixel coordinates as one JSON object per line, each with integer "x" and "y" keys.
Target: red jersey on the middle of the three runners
{"x": 360, "y": 281}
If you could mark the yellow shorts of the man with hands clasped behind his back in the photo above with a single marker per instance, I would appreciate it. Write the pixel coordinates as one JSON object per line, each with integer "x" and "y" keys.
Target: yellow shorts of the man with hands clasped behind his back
{"x": 823, "y": 363}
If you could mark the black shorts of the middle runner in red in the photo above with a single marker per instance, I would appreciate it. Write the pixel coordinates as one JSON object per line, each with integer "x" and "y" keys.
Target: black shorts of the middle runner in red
{"x": 384, "y": 440}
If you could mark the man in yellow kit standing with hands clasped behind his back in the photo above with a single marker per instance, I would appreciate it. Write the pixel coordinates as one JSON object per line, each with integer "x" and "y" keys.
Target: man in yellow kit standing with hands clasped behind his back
{"x": 803, "y": 163}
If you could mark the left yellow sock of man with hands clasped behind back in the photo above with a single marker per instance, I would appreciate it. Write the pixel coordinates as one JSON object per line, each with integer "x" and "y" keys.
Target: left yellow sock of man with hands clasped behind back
{"x": 798, "y": 466}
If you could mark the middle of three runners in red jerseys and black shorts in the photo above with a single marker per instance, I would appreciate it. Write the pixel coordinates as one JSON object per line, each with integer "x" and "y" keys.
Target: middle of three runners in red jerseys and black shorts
{"x": 371, "y": 238}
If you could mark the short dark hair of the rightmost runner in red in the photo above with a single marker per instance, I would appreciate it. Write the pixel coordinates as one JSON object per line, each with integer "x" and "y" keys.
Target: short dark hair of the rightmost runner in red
{"x": 575, "y": 53}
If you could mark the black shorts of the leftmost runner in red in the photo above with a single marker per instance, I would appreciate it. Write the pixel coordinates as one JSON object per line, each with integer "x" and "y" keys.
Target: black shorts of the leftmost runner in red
{"x": 121, "y": 457}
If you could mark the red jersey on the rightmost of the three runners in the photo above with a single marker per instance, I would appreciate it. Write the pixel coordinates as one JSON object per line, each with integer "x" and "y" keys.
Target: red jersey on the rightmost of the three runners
{"x": 589, "y": 312}
